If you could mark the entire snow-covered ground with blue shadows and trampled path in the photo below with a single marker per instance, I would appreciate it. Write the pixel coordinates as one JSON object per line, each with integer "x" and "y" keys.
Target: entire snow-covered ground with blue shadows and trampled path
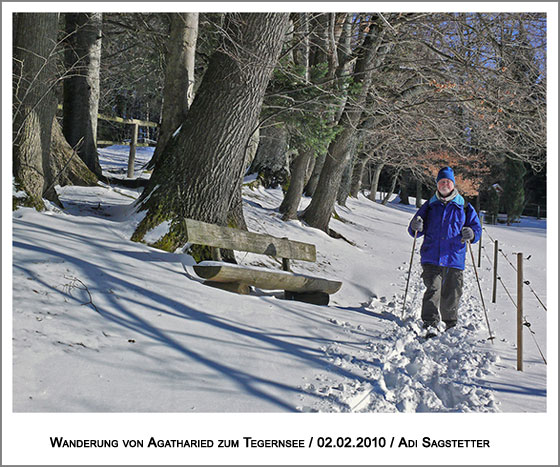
{"x": 102, "y": 324}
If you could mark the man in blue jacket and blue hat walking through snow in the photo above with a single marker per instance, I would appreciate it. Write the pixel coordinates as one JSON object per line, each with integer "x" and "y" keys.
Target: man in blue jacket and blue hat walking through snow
{"x": 447, "y": 223}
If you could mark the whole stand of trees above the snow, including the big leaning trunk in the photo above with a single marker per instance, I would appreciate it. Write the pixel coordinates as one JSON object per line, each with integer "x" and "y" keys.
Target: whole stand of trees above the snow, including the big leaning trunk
{"x": 322, "y": 104}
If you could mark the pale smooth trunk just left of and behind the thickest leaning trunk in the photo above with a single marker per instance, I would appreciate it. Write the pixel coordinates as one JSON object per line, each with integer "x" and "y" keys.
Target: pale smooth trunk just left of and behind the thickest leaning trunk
{"x": 178, "y": 88}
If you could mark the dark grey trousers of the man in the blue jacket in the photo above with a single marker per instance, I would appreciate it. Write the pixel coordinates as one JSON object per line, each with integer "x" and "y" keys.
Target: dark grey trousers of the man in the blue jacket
{"x": 444, "y": 287}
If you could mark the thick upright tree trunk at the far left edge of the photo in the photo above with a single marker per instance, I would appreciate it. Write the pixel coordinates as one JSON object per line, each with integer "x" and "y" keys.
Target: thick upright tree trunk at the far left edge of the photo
{"x": 34, "y": 103}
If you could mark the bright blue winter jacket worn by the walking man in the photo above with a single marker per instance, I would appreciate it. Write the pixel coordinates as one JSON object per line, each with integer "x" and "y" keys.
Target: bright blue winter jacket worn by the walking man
{"x": 442, "y": 231}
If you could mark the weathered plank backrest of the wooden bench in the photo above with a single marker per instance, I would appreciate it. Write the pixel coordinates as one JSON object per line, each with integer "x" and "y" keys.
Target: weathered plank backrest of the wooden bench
{"x": 201, "y": 233}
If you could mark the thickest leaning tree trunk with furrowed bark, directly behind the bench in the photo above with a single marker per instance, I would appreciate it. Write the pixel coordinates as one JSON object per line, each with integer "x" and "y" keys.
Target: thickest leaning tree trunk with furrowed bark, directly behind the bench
{"x": 198, "y": 174}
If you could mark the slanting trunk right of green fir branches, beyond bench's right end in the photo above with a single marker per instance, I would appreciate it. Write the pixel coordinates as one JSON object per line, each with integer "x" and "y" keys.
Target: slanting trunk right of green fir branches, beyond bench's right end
{"x": 319, "y": 211}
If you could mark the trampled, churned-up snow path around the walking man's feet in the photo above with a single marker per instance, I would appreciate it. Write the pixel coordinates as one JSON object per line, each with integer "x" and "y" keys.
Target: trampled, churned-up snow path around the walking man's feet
{"x": 398, "y": 370}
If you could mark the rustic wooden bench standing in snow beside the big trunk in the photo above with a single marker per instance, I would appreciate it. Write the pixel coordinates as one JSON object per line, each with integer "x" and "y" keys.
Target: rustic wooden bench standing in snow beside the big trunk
{"x": 238, "y": 278}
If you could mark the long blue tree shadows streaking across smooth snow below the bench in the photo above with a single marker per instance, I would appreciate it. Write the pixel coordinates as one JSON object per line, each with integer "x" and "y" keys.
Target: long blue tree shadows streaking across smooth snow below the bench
{"x": 119, "y": 312}
